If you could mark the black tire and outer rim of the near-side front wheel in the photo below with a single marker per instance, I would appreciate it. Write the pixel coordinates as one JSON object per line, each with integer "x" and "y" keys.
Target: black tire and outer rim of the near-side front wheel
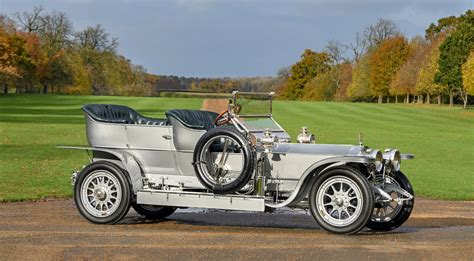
{"x": 365, "y": 193}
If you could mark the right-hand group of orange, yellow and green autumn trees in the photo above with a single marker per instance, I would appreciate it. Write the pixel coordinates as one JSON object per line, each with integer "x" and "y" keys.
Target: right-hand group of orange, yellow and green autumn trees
{"x": 386, "y": 66}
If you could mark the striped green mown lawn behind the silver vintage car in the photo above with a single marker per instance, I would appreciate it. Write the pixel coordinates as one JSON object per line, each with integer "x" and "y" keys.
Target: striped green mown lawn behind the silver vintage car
{"x": 442, "y": 139}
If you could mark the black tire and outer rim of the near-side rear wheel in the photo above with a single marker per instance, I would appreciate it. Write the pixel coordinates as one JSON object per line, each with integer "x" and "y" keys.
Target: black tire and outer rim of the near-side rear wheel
{"x": 85, "y": 207}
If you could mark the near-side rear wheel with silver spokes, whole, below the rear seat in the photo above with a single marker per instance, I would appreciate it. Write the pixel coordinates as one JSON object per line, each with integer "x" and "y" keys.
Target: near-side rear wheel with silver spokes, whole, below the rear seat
{"x": 102, "y": 193}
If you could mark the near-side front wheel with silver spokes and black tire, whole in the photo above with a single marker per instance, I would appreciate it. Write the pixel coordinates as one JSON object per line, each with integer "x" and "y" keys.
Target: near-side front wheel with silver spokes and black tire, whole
{"x": 341, "y": 201}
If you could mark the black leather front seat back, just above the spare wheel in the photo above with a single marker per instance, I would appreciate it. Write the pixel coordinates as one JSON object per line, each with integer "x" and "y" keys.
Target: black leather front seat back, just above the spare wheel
{"x": 194, "y": 119}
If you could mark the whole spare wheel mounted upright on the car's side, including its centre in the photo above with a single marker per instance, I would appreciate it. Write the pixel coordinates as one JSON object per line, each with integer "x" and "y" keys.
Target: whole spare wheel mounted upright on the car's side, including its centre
{"x": 223, "y": 160}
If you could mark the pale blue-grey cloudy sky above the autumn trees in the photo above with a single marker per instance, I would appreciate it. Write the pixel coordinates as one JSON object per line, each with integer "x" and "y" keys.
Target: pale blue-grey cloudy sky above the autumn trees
{"x": 237, "y": 38}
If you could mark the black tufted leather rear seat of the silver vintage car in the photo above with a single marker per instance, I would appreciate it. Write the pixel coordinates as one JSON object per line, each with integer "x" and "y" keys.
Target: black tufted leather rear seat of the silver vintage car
{"x": 119, "y": 114}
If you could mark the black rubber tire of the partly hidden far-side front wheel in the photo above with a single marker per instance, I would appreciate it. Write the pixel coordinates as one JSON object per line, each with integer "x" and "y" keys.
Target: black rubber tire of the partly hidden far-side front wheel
{"x": 404, "y": 213}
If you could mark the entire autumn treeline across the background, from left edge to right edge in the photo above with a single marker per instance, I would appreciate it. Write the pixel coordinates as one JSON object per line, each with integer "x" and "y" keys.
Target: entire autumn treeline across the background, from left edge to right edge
{"x": 41, "y": 52}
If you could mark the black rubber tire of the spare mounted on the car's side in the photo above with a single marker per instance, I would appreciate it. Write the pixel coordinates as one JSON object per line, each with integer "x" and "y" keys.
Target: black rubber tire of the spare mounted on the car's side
{"x": 244, "y": 148}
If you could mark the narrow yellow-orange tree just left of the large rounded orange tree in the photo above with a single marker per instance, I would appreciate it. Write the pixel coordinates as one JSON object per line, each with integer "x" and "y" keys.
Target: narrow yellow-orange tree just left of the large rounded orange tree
{"x": 359, "y": 88}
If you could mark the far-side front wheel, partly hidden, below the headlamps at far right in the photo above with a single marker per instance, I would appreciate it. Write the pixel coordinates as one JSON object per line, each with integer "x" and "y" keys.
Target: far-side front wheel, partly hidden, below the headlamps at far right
{"x": 391, "y": 215}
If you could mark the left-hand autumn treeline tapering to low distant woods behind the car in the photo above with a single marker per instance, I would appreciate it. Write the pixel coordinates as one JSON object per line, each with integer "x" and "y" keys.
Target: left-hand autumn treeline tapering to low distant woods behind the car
{"x": 41, "y": 52}
